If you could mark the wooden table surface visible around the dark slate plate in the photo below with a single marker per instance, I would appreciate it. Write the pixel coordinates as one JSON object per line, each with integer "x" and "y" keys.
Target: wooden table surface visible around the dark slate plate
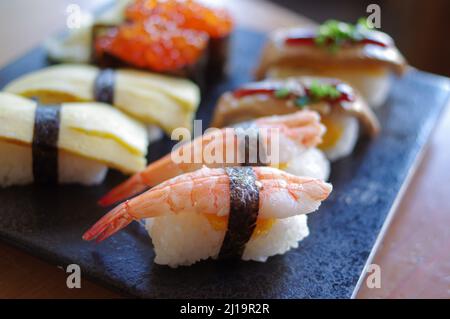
{"x": 413, "y": 256}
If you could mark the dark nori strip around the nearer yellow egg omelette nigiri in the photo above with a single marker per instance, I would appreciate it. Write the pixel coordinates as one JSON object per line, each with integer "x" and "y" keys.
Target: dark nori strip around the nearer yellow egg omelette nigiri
{"x": 45, "y": 144}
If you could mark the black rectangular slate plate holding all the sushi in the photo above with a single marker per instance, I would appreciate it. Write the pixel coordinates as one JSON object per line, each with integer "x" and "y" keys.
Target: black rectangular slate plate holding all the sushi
{"x": 49, "y": 222}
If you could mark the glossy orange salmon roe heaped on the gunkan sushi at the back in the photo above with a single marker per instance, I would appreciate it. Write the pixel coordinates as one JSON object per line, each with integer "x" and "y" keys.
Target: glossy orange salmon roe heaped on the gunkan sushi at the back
{"x": 164, "y": 35}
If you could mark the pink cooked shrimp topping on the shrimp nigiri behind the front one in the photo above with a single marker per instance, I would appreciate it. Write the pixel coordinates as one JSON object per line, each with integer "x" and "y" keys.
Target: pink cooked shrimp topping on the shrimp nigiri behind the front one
{"x": 297, "y": 131}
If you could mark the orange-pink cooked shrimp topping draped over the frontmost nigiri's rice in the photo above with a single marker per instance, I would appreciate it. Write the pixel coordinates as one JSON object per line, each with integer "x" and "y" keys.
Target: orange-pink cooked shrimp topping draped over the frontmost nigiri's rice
{"x": 207, "y": 191}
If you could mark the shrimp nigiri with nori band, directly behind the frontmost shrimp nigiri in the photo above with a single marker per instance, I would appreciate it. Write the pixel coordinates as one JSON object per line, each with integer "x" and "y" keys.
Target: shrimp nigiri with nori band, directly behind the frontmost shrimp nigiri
{"x": 297, "y": 136}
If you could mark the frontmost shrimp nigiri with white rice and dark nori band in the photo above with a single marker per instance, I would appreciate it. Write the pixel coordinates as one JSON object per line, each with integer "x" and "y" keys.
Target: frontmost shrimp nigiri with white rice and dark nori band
{"x": 248, "y": 213}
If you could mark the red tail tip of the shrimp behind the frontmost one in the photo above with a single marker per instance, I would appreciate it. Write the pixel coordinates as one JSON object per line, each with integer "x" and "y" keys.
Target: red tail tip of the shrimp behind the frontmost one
{"x": 123, "y": 191}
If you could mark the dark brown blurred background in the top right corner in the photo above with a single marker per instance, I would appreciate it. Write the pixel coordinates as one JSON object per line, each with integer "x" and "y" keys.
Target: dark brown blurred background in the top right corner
{"x": 420, "y": 27}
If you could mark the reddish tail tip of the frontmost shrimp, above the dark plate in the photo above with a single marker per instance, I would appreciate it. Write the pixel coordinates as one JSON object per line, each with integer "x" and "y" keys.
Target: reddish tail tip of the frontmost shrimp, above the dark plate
{"x": 109, "y": 224}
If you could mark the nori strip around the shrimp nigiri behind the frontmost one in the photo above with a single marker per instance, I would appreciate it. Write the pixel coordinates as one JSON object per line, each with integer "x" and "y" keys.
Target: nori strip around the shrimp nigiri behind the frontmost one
{"x": 246, "y": 131}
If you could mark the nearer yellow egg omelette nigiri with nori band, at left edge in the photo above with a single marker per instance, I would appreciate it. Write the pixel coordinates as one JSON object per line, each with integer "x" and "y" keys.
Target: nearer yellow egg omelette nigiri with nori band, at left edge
{"x": 67, "y": 143}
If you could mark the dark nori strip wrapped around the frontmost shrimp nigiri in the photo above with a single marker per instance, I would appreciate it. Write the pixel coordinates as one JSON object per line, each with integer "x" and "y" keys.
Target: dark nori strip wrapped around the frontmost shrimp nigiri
{"x": 244, "y": 207}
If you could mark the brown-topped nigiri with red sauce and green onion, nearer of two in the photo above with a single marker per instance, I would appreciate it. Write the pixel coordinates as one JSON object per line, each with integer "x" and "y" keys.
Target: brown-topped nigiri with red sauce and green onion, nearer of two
{"x": 343, "y": 111}
